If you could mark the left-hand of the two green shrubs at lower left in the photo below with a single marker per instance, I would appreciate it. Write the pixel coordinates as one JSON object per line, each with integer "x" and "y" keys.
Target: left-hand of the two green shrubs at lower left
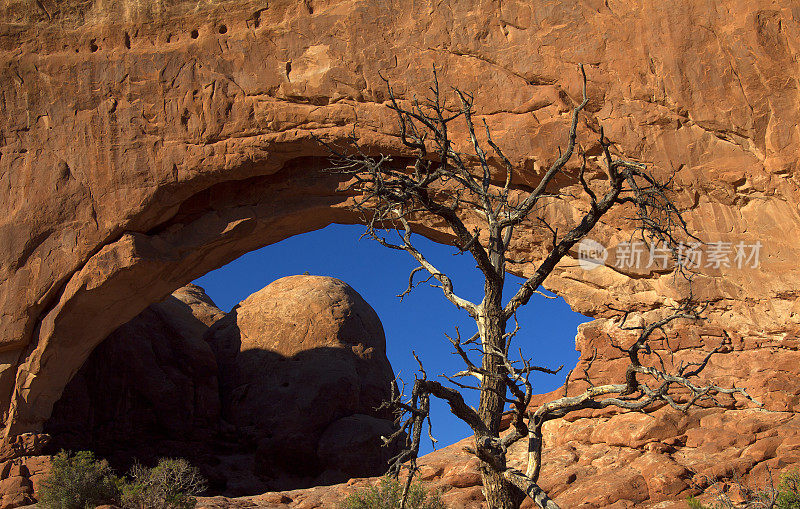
{"x": 79, "y": 481}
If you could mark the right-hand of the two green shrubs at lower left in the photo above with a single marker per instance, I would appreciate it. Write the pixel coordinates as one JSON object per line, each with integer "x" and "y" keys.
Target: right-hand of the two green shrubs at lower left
{"x": 172, "y": 484}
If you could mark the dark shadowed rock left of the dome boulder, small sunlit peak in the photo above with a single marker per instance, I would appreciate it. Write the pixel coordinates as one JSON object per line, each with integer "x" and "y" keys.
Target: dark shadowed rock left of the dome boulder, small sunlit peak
{"x": 149, "y": 390}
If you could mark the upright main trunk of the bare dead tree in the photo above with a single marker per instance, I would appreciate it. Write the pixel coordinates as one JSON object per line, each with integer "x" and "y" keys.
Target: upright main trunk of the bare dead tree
{"x": 499, "y": 492}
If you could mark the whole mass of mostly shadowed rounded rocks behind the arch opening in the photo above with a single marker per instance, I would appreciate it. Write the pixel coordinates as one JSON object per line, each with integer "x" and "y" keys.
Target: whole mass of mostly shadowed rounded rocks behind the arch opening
{"x": 279, "y": 393}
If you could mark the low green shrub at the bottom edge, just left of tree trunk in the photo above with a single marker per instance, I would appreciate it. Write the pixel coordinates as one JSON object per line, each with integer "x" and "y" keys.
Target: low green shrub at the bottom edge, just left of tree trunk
{"x": 387, "y": 496}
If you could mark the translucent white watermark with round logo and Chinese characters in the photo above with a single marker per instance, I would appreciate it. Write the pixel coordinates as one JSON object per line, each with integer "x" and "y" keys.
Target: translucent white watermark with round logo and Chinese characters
{"x": 695, "y": 255}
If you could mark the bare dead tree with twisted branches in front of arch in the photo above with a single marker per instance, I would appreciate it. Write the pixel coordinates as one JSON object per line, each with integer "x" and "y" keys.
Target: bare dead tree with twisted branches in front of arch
{"x": 436, "y": 180}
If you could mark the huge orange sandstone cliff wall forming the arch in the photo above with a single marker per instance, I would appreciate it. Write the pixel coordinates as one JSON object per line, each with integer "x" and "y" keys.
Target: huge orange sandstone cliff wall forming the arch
{"x": 145, "y": 143}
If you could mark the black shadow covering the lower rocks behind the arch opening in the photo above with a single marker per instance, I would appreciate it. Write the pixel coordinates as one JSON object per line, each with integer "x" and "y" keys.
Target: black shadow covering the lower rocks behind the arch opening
{"x": 148, "y": 391}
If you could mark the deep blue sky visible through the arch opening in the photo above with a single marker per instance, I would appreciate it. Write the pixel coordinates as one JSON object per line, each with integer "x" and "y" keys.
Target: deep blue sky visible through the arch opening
{"x": 418, "y": 322}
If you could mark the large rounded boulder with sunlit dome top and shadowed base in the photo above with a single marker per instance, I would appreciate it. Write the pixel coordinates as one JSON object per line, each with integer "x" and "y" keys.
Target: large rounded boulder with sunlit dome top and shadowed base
{"x": 302, "y": 368}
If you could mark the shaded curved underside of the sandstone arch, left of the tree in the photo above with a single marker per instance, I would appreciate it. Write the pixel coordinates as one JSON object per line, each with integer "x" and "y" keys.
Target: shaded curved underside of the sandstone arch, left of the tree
{"x": 139, "y": 268}
